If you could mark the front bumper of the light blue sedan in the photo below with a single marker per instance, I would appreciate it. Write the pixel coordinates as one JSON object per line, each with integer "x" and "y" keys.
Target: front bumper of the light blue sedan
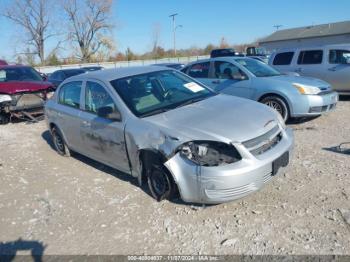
{"x": 314, "y": 105}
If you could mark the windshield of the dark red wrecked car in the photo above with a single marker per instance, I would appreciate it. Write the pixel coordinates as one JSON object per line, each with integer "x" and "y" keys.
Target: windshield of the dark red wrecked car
{"x": 19, "y": 74}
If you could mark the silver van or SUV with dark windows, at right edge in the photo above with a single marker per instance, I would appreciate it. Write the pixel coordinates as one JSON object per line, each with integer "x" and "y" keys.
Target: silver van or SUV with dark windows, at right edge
{"x": 330, "y": 63}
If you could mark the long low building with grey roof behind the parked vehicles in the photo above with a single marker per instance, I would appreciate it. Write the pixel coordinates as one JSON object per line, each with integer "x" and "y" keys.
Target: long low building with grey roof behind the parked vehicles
{"x": 316, "y": 35}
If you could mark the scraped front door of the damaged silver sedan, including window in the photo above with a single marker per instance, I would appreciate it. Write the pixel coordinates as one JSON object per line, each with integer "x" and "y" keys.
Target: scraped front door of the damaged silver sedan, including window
{"x": 103, "y": 139}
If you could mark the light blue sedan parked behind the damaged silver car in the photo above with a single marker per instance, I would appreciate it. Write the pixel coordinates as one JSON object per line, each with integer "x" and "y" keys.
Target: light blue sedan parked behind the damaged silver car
{"x": 291, "y": 96}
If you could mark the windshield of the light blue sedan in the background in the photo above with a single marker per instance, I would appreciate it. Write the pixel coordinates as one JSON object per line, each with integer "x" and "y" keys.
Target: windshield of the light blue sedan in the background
{"x": 258, "y": 68}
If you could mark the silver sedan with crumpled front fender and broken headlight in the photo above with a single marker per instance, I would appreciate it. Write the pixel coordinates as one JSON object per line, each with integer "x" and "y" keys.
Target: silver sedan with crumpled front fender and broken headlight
{"x": 171, "y": 132}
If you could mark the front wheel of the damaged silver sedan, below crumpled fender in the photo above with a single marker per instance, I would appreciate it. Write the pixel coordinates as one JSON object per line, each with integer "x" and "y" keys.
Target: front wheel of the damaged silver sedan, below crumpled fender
{"x": 160, "y": 183}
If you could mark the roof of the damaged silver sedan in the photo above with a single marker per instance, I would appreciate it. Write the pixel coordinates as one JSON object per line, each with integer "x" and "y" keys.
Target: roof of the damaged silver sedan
{"x": 117, "y": 73}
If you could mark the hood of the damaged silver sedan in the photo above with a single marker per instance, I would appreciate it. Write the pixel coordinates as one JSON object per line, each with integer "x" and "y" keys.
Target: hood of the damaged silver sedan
{"x": 220, "y": 118}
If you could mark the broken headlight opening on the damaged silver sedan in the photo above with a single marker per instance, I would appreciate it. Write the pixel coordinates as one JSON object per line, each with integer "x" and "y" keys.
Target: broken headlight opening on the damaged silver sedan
{"x": 209, "y": 153}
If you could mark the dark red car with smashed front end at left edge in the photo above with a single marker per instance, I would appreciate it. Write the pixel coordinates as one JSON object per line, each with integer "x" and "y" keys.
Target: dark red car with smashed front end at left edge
{"x": 23, "y": 92}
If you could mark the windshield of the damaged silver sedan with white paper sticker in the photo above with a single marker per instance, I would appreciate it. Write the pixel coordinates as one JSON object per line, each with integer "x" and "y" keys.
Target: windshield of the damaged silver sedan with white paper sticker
{"x": 157, "y": 92}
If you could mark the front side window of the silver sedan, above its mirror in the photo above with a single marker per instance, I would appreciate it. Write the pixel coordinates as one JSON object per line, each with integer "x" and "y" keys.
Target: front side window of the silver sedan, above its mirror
{"x": 97, "y": 97}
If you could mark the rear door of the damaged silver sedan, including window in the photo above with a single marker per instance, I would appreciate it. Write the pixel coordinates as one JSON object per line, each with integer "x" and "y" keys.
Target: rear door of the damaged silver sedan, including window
{"x": 67, "y": 113}
